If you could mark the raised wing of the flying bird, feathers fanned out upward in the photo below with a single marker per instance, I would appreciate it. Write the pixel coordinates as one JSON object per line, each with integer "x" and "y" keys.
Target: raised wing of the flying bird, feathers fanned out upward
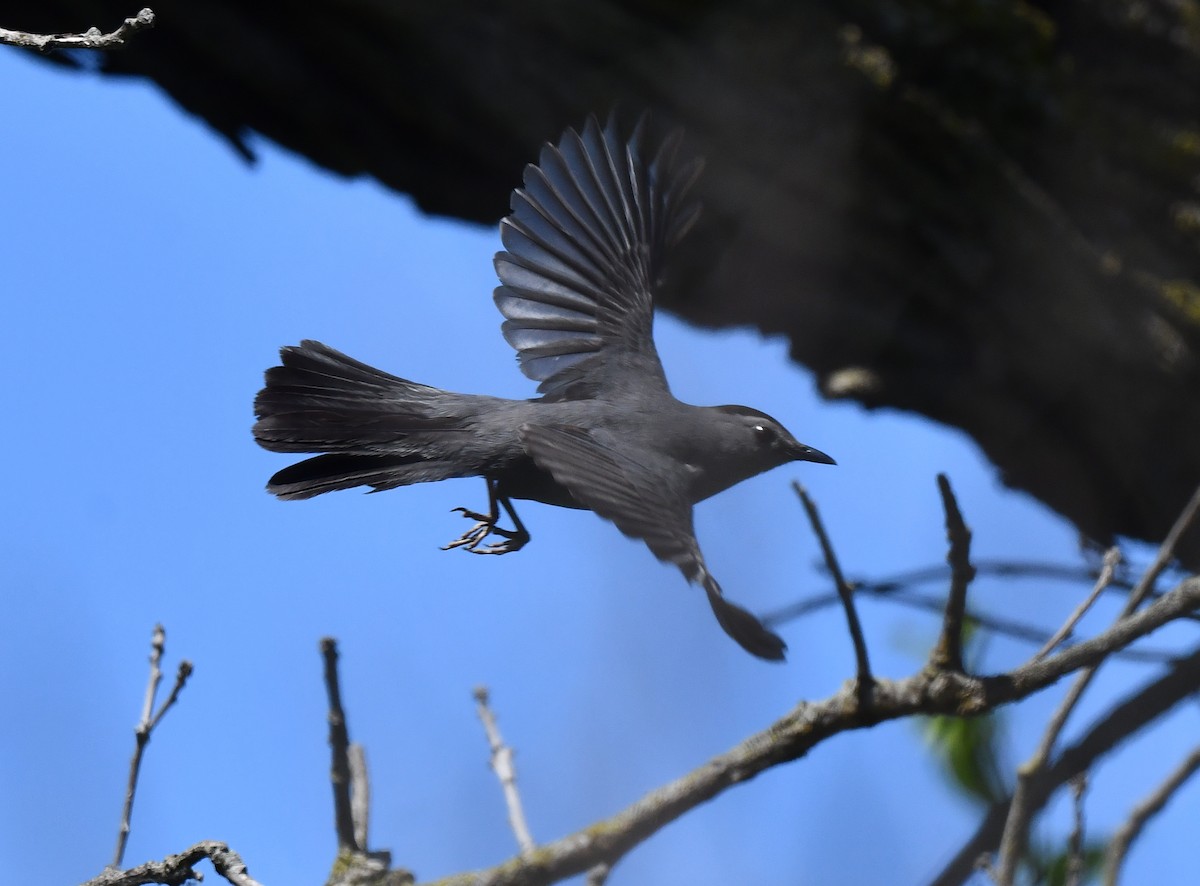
{"x": 586, "y": 244}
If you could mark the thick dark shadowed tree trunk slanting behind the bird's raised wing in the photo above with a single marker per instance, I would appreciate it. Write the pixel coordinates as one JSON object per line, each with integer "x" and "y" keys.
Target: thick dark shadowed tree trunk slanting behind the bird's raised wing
{"x": 985, "y": 213}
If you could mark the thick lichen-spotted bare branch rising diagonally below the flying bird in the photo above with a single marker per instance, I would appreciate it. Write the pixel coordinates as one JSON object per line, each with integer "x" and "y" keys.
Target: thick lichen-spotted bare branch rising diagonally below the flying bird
{"x": 812, "y": 723}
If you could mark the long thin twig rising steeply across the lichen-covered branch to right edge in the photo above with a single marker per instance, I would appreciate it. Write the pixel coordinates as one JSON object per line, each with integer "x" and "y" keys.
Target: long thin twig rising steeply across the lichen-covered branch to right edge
{"x": 1012, "y": 846}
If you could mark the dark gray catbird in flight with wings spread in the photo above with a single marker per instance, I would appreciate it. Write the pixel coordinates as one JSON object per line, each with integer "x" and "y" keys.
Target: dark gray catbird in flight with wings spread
{"x": 585, "y": 250}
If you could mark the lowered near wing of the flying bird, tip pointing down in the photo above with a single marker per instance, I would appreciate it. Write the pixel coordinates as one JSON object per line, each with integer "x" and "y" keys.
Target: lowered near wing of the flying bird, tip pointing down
{"x": 633, "y": 494}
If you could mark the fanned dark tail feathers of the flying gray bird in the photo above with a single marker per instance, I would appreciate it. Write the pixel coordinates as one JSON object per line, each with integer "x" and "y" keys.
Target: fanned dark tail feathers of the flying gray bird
{"x": 376, "y": 429}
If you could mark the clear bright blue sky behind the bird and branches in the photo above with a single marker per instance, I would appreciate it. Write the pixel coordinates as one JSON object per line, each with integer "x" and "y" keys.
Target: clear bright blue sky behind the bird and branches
{"x": 149, "y": 279}
